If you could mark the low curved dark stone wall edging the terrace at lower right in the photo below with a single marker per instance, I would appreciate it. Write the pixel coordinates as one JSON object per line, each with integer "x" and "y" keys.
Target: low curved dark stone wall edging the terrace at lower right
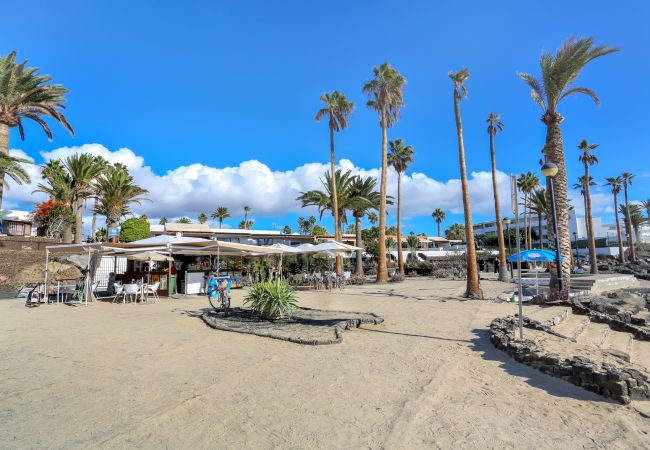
{"x": 617, "y": 383}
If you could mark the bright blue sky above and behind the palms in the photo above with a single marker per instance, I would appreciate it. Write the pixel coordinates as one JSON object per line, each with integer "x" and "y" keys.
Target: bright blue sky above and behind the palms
{"x": 218, "y": 83}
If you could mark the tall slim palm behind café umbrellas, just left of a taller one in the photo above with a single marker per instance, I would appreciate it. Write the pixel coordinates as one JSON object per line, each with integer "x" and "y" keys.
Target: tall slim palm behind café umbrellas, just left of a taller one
{"x": 337, "y": 109}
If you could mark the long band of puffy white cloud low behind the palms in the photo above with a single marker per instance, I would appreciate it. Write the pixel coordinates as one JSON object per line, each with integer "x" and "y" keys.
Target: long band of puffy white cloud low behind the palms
{"x": 191, "y": 189}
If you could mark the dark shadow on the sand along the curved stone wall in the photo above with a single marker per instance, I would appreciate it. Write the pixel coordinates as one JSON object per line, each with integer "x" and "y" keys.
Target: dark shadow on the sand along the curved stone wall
{"x": 533, "y": 377}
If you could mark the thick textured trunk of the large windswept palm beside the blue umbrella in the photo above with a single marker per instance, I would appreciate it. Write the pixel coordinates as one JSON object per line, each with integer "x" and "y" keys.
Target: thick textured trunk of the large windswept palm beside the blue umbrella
{"x": 554, "y": 152}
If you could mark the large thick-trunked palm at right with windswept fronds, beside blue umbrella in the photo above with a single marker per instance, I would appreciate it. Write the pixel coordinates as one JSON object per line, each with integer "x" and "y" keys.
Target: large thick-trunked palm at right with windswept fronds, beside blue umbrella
{"x": 559, "y": 73}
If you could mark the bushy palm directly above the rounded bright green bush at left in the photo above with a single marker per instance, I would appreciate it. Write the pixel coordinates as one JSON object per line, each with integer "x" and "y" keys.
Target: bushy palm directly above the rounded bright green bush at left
{"x": 116, "y": 191}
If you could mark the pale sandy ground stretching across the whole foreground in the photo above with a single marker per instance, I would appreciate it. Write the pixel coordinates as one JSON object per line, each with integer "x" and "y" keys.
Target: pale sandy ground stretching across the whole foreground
{"x": 155, "y": 376}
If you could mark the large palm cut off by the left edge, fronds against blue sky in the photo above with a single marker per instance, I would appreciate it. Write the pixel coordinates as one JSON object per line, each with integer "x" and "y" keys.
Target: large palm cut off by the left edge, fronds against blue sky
{"x": 24, "y": 94}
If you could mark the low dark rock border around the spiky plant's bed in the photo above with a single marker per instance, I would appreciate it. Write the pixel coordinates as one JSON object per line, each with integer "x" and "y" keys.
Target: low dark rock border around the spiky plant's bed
{"x": 338, "y": 328}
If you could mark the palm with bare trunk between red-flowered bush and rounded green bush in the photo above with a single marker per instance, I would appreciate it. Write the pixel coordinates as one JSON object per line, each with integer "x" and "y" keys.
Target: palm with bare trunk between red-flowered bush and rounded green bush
{"x": 84, "y": 168}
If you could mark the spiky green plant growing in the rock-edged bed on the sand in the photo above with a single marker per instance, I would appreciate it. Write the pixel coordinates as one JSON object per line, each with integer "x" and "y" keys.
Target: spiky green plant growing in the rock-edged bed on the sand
{"x": 272, "y": 299}
